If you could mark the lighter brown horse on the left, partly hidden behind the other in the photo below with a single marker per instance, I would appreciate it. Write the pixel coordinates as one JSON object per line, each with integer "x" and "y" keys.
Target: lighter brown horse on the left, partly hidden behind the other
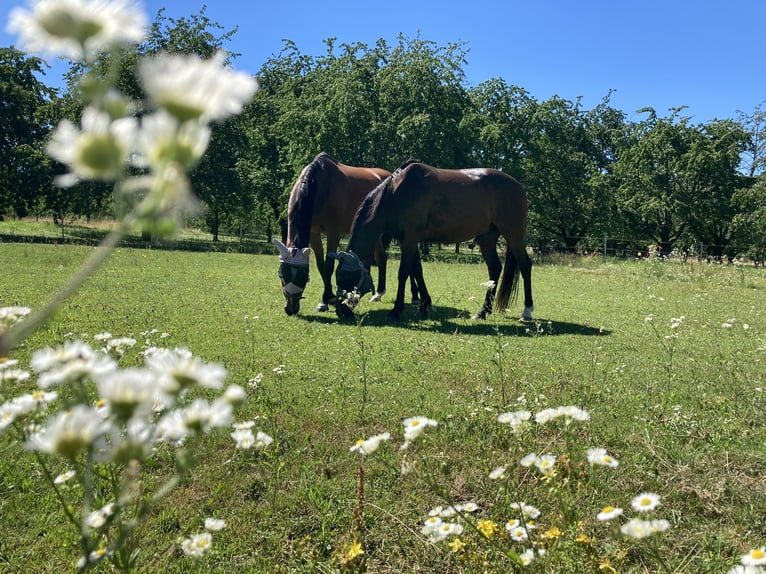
{"x": 323, "y": 201}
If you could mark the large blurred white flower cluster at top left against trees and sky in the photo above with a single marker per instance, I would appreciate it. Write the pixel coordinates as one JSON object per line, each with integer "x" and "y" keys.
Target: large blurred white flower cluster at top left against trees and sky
{"x": 185, "y": 94}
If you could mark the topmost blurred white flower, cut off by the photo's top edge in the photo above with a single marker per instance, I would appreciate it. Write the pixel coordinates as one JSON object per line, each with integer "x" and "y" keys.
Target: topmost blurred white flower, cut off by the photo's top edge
{"x": 76, "y": 28}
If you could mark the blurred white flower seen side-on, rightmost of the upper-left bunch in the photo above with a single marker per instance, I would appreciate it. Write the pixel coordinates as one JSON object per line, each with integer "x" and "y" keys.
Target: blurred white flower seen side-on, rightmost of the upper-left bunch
{"x": 190, "y": 88}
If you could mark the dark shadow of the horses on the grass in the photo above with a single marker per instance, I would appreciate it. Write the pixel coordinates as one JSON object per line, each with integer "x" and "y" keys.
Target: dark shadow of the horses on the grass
{"x": 450, "y": 320}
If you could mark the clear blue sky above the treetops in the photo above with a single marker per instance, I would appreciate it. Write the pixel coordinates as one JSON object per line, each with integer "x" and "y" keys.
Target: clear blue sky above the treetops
{"x": 707, "y": 55}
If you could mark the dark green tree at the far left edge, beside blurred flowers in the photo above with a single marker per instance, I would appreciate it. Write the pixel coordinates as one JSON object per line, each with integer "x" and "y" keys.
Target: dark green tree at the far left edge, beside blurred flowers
{"x": 26, "y": 106}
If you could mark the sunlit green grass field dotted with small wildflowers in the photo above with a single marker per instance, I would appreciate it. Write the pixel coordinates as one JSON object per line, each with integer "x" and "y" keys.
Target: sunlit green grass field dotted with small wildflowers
{"x": 678, "y": 400}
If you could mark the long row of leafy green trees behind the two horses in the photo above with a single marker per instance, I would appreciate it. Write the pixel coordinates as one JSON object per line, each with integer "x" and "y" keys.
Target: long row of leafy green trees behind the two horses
{"x": 588, "y": 172}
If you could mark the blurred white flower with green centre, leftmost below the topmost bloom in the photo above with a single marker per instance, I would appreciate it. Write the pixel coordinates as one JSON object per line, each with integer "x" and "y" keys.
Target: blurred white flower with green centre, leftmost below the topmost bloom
{"x": 98, "y": 150}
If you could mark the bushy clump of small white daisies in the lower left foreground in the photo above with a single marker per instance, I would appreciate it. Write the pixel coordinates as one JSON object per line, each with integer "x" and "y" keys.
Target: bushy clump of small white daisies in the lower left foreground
{"x": 97, "y": 419}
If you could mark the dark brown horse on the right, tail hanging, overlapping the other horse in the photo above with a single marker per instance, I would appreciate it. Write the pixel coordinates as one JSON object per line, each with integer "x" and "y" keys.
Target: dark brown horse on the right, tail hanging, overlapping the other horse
{"x": 423, "y": 203}
